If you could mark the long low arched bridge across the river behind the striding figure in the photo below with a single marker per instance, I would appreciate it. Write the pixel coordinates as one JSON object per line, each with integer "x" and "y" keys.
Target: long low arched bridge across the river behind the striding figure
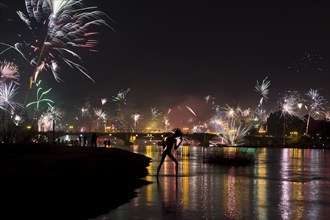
{"x": 129, "y": 136}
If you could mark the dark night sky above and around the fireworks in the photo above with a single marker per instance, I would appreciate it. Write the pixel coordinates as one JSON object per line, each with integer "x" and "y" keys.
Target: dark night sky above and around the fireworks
{"x": 172, "y": 53}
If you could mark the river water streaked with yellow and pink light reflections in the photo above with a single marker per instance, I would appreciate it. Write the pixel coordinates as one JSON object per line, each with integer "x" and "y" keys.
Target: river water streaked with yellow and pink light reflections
{"x": 283, "y": 184}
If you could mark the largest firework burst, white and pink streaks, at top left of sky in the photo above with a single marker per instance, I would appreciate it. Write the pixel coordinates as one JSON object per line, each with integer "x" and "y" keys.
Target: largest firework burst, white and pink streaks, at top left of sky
{"x": 58, "y": 26}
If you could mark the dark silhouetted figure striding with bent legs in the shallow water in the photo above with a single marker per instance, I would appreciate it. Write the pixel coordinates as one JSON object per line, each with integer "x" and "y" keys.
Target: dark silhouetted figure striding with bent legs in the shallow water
{"x": 170, "y": 142}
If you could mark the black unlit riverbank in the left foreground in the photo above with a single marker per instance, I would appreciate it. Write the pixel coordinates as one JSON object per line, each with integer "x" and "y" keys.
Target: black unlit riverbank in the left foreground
{"x": 60, "y": 182}
